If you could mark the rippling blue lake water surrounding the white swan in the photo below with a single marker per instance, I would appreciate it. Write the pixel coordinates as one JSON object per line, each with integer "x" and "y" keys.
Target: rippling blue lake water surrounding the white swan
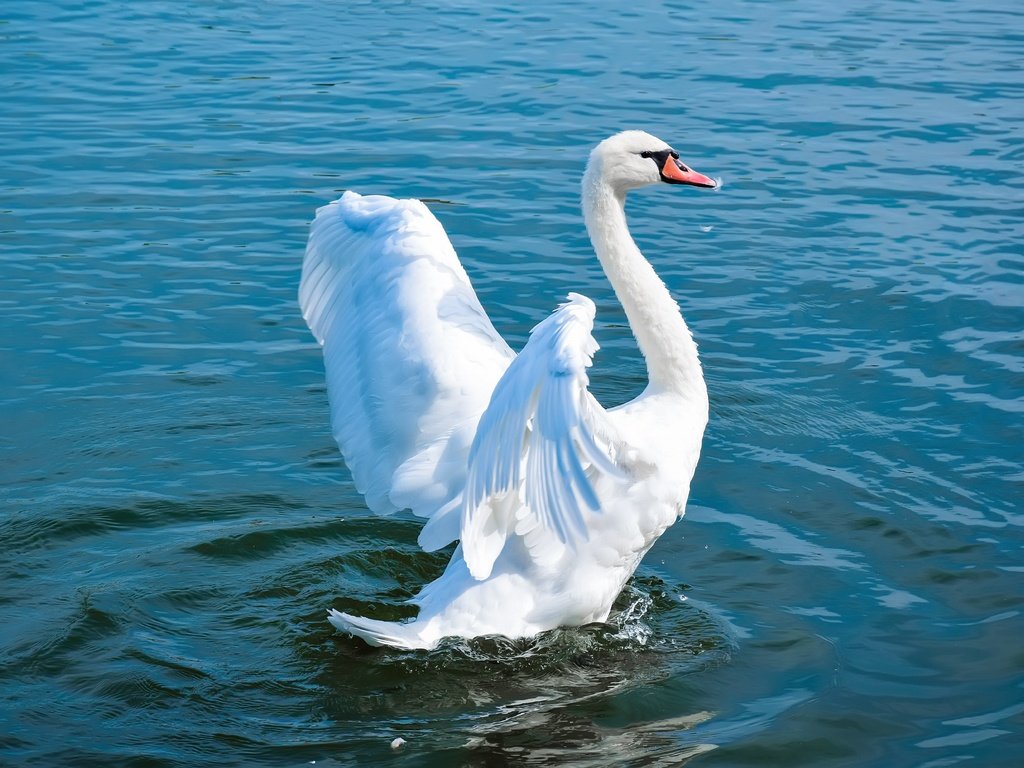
{"x": 846, "y": 589}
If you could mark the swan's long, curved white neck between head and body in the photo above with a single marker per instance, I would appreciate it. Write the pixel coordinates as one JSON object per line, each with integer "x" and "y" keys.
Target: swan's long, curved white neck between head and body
{"x": 654, "y": 316}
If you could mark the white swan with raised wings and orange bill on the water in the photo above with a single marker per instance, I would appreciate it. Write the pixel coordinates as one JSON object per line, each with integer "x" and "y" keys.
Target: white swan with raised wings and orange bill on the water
{"x": 553, "y": 499}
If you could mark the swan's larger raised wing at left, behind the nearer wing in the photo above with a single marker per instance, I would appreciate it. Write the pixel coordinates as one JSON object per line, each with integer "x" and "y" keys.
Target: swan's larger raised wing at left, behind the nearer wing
{"x": 410, "y": 356}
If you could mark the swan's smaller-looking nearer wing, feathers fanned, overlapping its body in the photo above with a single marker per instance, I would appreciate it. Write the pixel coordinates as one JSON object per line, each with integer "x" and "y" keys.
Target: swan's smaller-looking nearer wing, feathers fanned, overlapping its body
{"x": 542, "y": 441}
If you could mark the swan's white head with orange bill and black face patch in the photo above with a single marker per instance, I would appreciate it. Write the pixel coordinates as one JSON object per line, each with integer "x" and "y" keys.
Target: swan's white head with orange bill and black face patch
{"x": 634, "y": 159}
